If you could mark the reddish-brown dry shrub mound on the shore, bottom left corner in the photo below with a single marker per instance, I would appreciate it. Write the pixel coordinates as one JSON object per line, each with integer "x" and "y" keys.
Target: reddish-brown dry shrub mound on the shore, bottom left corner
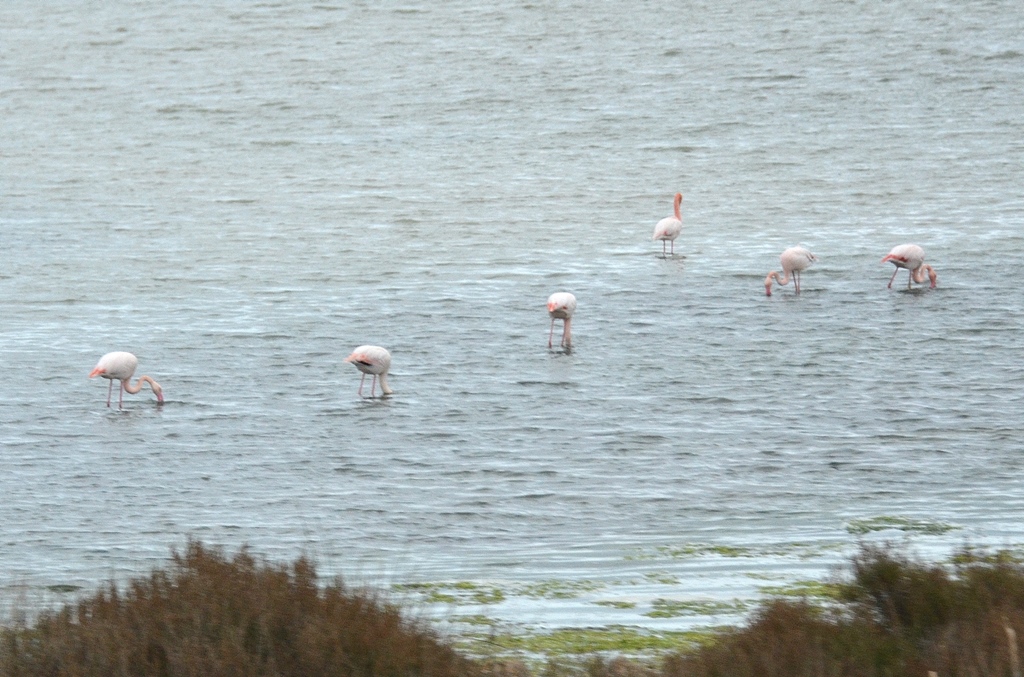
{"x": 209, "y": 615}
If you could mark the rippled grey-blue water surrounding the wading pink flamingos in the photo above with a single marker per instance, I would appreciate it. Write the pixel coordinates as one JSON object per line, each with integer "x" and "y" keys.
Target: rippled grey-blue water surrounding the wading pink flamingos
{"x": 241, "y": 193}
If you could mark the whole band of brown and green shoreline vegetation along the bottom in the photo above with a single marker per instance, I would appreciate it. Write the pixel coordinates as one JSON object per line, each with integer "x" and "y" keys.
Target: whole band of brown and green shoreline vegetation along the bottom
{"x": 210, "y": 614}
